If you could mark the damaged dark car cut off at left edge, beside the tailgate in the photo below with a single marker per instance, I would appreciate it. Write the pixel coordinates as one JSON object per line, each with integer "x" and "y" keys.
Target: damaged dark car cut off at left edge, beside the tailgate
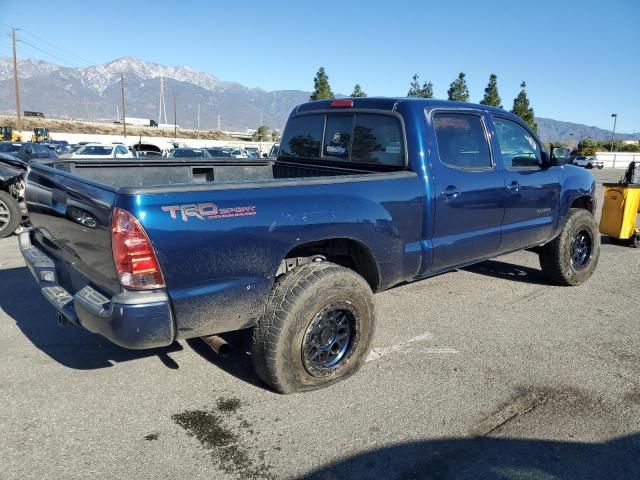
{"x": 12, "y": 206}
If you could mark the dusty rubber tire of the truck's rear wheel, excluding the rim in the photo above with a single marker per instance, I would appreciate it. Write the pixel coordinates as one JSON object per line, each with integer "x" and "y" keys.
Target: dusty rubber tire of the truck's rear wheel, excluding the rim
{"x": 294, "y": 302}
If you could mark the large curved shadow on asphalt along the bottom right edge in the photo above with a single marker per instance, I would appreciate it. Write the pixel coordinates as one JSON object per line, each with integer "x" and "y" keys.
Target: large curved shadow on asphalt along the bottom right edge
{"x": 490, "y": 458}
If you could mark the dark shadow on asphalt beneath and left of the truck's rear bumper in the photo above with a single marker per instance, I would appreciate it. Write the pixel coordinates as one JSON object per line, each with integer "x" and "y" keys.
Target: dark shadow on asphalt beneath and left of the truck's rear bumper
{"x": 73, "y": 347}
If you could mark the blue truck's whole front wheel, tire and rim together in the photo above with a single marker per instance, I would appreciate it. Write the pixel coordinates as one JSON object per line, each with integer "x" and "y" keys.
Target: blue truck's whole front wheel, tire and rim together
{"x": 571, "y": 258}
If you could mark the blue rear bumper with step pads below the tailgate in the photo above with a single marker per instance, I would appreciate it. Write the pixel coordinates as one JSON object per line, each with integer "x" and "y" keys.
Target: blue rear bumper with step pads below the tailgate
{"x": 135, "y": 320}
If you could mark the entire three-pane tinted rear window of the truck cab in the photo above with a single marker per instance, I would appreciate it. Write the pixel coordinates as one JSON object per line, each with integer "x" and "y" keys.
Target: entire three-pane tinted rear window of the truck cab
{"x": 357, "y": 138}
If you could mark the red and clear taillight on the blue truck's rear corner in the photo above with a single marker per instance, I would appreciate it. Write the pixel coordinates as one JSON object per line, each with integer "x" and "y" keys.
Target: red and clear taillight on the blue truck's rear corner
{"x": 136, "y": 262}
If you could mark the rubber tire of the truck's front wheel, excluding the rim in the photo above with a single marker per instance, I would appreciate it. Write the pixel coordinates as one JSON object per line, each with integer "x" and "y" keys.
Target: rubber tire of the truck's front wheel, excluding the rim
{"x": 555, "y": 256}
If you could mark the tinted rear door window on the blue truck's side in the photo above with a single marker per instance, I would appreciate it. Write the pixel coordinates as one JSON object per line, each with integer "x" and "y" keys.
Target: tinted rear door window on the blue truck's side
{"x": 461, "y": 141}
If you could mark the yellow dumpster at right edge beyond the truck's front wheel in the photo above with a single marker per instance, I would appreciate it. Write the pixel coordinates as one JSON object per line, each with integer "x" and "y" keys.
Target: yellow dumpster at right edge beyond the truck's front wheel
{"x": 619, "y": 211}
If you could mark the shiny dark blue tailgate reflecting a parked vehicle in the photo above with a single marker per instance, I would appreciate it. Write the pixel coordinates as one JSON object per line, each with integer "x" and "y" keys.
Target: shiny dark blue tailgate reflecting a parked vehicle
{"x": 71, "y": 217}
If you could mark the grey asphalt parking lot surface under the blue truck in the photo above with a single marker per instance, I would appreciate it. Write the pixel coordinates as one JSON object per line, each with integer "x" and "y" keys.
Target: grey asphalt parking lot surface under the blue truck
{"x": 485, "y": 372}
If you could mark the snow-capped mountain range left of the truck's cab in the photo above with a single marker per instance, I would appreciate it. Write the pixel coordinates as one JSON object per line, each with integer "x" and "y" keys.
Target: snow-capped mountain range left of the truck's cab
{"x": 93, "y": 93}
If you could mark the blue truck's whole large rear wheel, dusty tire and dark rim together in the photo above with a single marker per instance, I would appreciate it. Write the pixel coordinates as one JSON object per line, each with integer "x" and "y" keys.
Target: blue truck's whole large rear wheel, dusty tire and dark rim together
{"x": 317, "y": 328}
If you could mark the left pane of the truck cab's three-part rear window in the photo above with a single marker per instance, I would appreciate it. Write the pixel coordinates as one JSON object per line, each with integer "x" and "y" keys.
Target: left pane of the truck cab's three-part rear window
{"x": 303, "y": 137}
